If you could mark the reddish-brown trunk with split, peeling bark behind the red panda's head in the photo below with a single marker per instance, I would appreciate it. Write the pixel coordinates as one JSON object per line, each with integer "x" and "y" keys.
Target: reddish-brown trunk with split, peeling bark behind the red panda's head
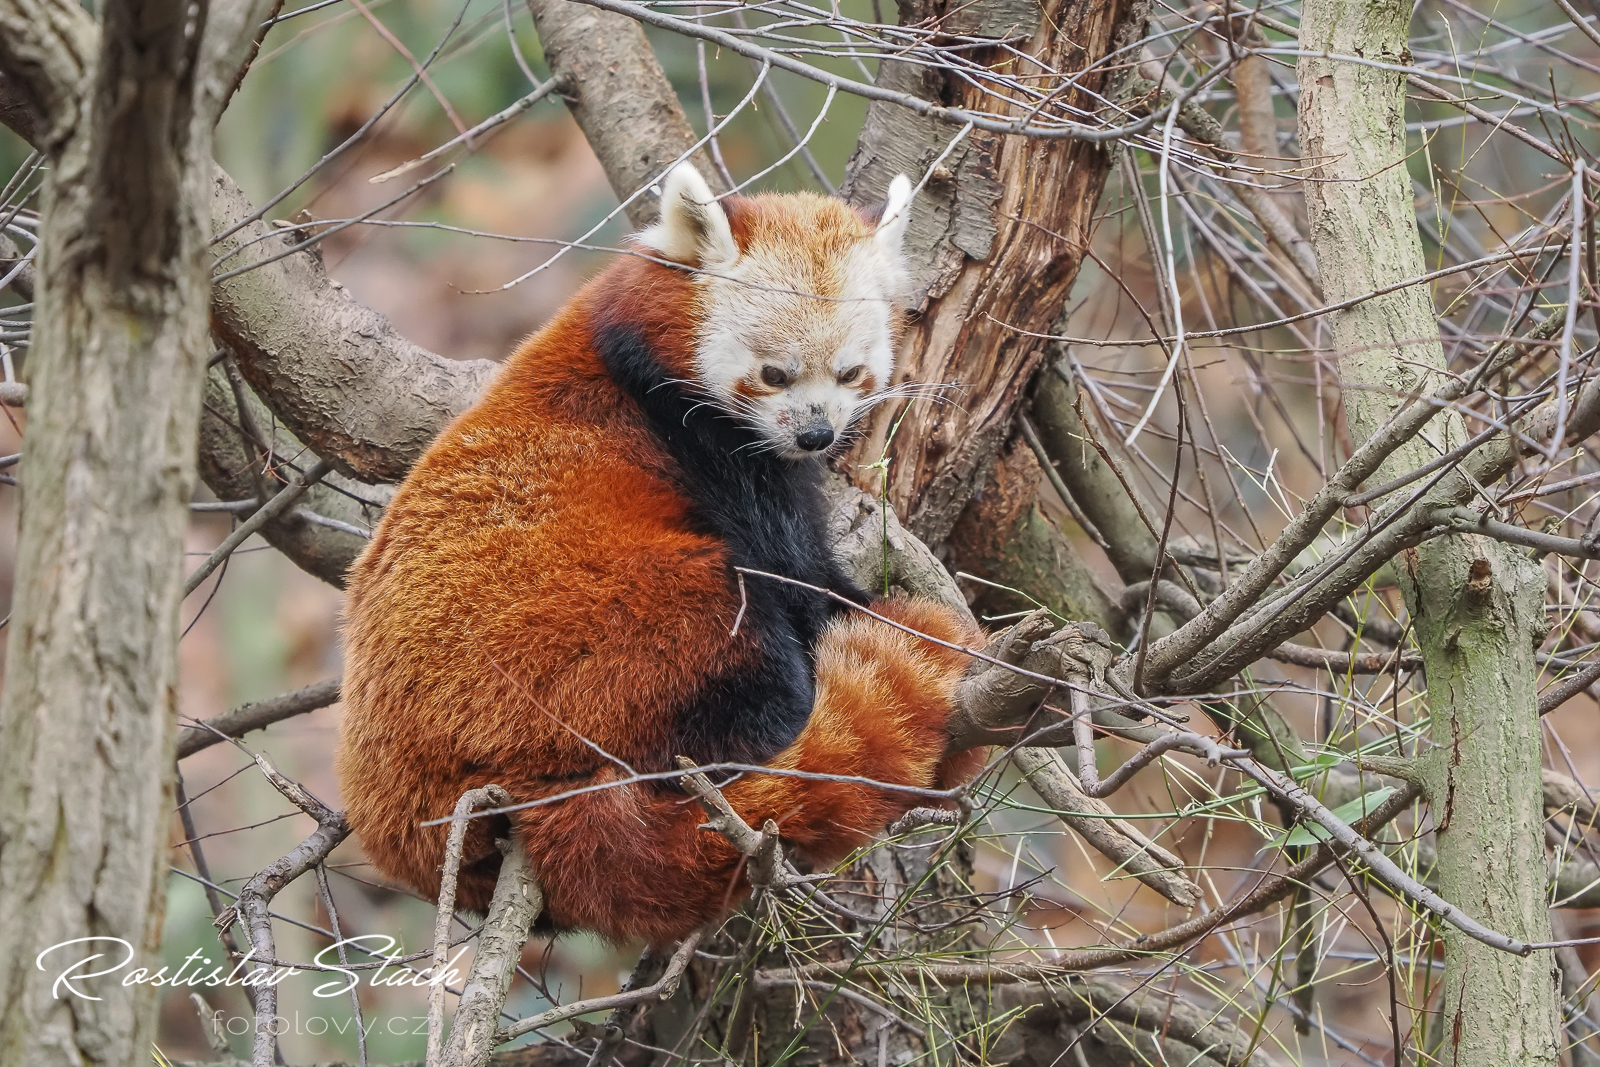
{"x": 996, "y": 244}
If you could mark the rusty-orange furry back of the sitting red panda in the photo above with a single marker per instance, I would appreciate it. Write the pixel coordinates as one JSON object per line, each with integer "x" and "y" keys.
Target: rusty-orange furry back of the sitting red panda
{"x": 534, "y": 593}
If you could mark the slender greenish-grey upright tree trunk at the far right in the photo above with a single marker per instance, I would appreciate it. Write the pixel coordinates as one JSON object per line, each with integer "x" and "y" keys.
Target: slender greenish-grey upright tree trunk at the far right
{"x": 1478, "y": 607}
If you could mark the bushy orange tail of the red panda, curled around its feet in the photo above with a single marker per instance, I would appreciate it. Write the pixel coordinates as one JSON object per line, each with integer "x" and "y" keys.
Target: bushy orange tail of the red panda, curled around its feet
{"x": 633, "y": 861}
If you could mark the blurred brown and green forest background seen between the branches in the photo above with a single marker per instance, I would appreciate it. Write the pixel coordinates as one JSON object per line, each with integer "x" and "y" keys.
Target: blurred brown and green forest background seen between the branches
{"x": 446, "y": 281}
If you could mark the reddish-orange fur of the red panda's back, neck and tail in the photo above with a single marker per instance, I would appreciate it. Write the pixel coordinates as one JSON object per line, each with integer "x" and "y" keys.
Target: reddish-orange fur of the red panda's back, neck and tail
{"x": 537, "y": 593}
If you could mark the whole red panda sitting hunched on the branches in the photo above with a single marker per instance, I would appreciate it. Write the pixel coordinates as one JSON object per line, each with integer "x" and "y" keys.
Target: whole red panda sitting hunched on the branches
{"x": 551, "y": 599}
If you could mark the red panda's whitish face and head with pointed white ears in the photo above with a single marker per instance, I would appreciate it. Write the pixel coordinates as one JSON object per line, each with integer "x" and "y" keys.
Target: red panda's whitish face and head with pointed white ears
{"x": 798, "y": 313}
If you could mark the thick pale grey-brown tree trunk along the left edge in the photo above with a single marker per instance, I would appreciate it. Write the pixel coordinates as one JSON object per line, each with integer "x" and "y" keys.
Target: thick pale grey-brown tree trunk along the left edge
{"x": 89, "y": 709}
